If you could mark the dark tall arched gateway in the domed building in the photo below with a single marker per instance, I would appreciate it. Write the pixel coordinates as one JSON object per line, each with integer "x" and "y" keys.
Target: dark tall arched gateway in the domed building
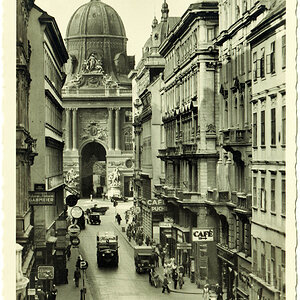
{"x": 93, "y": 170}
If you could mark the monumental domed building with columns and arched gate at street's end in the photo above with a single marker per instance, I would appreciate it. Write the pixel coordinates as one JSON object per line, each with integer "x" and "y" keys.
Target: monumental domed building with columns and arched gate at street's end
{"x": 97, "y": 102}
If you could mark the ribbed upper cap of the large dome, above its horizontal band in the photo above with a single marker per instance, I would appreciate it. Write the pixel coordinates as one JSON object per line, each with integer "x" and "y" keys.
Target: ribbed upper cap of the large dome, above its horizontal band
{"x": 95, "y": 18}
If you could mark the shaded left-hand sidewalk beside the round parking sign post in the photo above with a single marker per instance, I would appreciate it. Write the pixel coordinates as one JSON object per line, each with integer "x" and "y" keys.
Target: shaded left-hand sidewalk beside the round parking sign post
{"x": 69, "y": 291}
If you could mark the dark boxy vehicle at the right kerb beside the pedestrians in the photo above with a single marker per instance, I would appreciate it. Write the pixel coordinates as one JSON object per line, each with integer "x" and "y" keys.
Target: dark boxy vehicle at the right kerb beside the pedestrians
{"x": 143, "y": 258}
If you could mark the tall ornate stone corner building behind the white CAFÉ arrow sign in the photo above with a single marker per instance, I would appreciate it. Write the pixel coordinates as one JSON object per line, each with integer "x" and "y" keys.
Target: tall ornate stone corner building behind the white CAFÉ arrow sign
{"x": 189, "y": 149}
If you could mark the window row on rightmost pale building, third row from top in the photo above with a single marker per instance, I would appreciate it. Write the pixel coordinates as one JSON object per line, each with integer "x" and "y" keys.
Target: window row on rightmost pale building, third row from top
{"x": 259, "y": 193}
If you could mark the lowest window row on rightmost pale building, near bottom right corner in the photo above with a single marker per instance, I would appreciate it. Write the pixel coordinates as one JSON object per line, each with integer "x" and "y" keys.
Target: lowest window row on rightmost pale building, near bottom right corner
{"x": 270, "y": 265}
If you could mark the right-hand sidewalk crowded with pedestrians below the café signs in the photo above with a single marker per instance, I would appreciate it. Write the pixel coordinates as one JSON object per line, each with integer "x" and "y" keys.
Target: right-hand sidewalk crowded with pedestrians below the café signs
{"x": 188, "y": 287}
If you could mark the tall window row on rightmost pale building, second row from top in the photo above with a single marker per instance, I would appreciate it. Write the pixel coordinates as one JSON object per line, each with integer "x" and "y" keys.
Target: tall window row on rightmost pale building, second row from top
{"x": 272, "y": 133}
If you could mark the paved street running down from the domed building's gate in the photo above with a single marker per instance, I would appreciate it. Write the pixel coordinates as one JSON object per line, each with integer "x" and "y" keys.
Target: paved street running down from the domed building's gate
{"x": 109, "y": 282}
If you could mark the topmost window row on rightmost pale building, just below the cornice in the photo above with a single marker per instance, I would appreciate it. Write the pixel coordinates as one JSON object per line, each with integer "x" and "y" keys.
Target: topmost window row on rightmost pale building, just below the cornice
{"x": 267, "y": 63}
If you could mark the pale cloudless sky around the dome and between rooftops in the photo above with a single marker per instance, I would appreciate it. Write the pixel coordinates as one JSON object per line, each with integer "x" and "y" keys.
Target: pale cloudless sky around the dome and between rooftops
{"x": 137, "y": 16}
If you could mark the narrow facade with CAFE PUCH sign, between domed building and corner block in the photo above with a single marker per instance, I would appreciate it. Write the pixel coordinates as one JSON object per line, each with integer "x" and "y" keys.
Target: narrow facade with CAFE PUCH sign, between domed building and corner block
{"x": 147, "y": 125}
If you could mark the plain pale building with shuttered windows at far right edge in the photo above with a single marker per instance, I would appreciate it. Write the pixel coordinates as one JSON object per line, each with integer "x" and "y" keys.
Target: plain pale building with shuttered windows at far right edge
{"x": 268, "y": 233}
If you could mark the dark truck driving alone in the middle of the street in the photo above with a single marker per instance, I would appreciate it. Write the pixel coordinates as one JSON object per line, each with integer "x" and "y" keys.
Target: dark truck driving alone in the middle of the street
{"x": 107, "y": 249}
